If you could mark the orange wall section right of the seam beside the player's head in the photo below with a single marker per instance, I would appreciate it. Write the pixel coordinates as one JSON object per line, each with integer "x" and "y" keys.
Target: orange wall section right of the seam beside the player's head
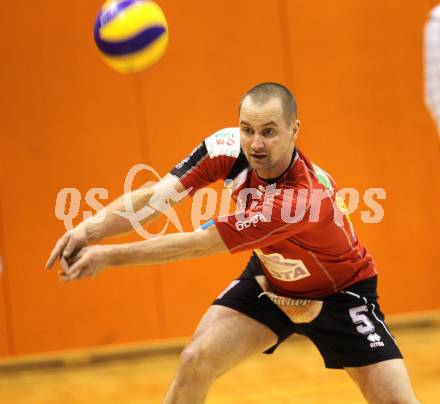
{"x": 358, "y": 76}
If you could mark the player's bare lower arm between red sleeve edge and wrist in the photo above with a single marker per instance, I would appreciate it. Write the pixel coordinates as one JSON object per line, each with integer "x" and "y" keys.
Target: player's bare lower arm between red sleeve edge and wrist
{"x": 167, "y": 248}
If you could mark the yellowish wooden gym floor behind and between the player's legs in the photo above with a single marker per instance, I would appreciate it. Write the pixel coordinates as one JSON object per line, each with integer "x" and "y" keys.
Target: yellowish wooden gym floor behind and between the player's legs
{"x": 294, "y": 374}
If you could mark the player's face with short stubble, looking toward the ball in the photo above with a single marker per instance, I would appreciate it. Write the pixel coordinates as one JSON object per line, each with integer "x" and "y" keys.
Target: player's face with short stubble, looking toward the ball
{"x": 266, "y": 139}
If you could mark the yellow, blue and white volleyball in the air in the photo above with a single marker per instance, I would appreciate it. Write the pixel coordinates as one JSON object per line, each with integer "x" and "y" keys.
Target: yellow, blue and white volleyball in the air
{"x": 131, "y": 35}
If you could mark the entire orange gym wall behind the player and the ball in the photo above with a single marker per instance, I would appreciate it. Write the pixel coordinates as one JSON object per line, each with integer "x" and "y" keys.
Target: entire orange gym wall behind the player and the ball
{"x": 69, "y": 121}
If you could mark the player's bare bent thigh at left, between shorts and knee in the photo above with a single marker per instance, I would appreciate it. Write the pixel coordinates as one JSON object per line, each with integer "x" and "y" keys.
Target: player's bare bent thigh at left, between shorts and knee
{"x": 225, "y": 337}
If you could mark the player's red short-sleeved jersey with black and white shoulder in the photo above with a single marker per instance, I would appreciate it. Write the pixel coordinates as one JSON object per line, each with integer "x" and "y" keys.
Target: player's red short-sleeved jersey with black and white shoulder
{"x": 296, "y": 224}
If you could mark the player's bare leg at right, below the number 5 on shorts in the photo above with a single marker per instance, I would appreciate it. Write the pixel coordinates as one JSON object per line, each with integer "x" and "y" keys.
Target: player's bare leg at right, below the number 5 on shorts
{"x": 384, "y": 382}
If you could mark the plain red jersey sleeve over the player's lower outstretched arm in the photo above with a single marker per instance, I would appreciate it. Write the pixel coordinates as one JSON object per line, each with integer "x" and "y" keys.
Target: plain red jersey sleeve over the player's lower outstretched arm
{"x": 267, "y": 223}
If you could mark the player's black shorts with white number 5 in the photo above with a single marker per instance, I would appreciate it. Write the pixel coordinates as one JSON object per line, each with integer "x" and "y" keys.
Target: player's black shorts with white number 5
{"x": 349, "y": 331}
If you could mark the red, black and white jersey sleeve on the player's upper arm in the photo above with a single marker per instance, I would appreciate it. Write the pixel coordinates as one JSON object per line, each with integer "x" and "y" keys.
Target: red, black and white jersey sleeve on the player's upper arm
{"x": 210, "y": 161}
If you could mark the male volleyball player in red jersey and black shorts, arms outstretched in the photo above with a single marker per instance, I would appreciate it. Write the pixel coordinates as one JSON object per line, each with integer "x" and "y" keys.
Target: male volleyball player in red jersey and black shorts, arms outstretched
{"x": 308, "y": 273}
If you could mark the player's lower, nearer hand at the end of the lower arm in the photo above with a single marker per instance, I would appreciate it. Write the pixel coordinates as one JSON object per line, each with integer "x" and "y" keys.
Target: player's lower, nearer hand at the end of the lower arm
{"x": 88, "y": 262}
